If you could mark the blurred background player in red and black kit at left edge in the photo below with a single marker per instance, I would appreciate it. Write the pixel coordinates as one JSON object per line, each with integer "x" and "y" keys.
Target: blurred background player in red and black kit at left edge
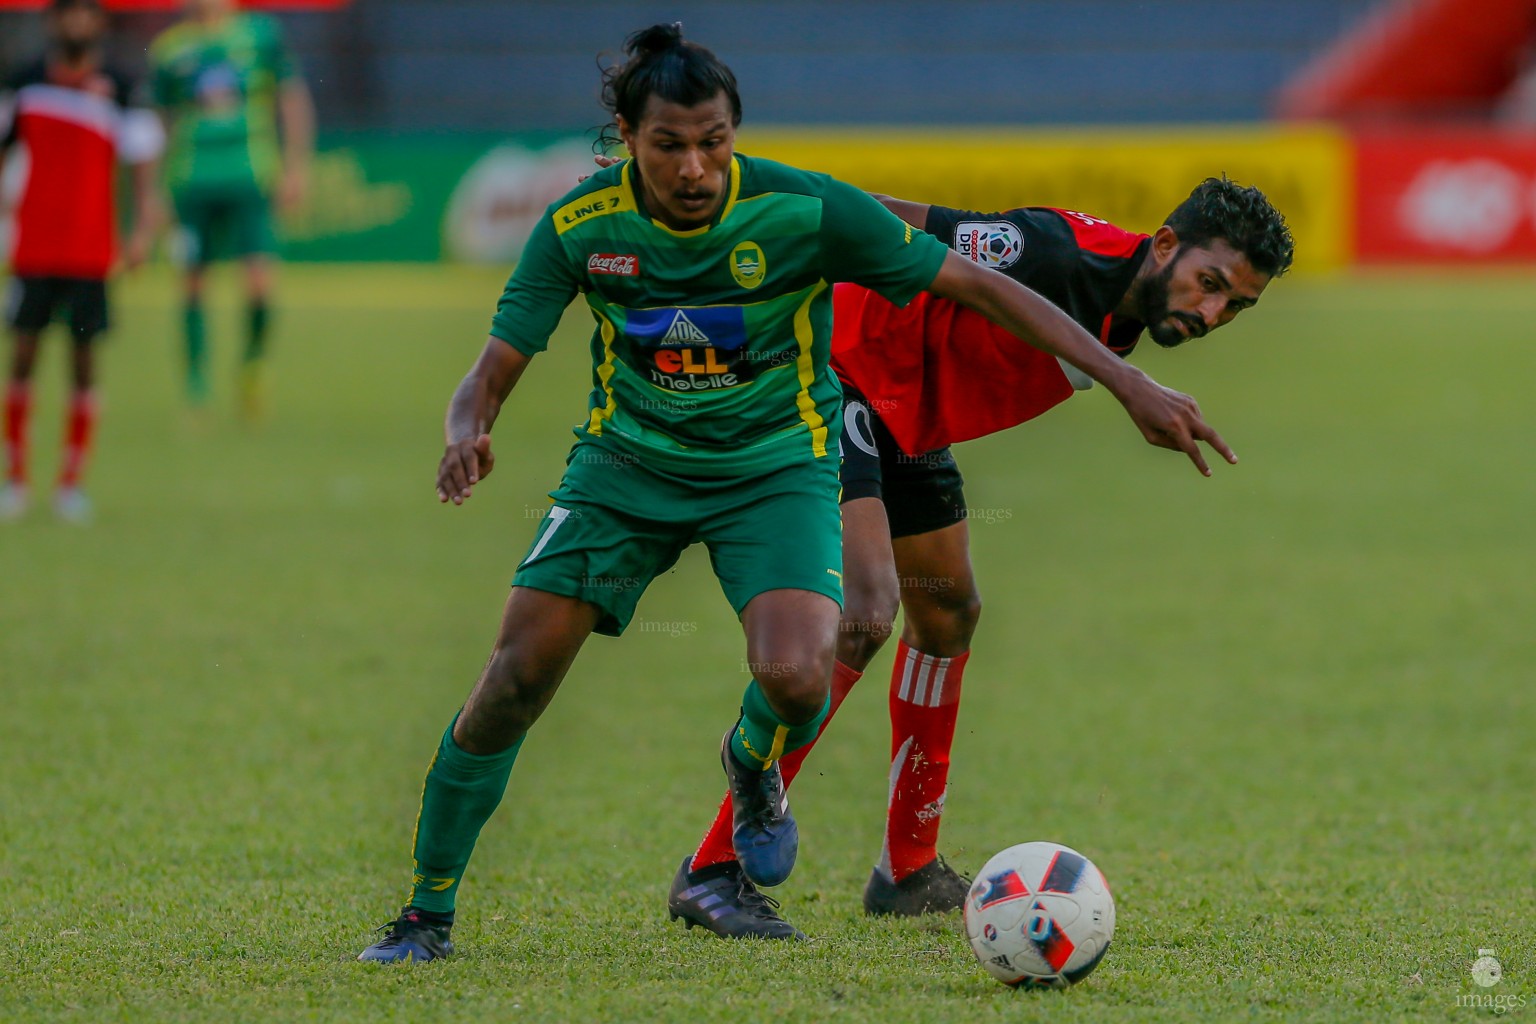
{"x": 76, "y": 119}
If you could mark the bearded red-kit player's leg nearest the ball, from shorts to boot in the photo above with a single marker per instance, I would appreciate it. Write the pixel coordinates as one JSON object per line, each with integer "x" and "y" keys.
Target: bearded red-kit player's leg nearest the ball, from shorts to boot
{"x": 939, "y": 601}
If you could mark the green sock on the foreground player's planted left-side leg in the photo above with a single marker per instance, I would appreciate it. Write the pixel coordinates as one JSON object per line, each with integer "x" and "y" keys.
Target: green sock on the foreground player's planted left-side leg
{"x": 458, "y": 798}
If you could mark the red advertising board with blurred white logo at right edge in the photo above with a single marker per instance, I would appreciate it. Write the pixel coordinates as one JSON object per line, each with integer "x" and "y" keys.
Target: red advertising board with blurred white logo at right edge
{"x": 1446, "y": 197}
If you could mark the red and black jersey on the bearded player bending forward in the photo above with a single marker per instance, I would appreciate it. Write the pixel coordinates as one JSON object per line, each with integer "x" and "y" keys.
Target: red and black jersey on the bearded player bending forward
{"x": 944, "y": 374}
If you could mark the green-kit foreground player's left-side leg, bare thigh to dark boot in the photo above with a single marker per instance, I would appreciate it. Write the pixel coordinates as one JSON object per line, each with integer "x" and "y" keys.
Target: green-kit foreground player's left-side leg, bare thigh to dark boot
{"x": 540, "y": 638}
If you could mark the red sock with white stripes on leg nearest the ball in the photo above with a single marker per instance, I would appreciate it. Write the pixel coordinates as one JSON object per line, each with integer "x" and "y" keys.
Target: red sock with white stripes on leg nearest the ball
{"x": 925, "y": 696}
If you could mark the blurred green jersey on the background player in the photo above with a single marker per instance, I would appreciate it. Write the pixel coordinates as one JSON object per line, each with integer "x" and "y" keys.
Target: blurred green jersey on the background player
{"x": 219, "y": 90}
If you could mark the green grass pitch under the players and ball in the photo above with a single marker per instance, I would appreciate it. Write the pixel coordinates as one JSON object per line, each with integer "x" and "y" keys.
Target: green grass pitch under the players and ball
{"x": 1288, "y": 710}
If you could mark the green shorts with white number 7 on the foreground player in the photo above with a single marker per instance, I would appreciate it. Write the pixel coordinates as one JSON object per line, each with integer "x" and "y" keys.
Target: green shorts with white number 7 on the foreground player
{"x": 617, "y": 526}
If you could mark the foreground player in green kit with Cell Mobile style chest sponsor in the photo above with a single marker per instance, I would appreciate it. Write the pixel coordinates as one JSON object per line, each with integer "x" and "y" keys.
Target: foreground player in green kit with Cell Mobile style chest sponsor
{"x": 713, "y": 417}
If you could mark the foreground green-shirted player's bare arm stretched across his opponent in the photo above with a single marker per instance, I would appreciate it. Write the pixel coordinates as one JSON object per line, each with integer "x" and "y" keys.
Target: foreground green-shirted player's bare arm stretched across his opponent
{"x": 1165, "y": 418}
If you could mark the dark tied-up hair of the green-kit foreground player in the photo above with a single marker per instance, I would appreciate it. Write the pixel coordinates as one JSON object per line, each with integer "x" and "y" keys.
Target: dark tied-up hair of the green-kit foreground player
{"x": 663, "y": 64}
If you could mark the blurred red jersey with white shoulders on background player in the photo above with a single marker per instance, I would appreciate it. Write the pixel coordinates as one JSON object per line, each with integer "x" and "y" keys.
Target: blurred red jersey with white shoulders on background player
{"x": 74, "y": 127}
